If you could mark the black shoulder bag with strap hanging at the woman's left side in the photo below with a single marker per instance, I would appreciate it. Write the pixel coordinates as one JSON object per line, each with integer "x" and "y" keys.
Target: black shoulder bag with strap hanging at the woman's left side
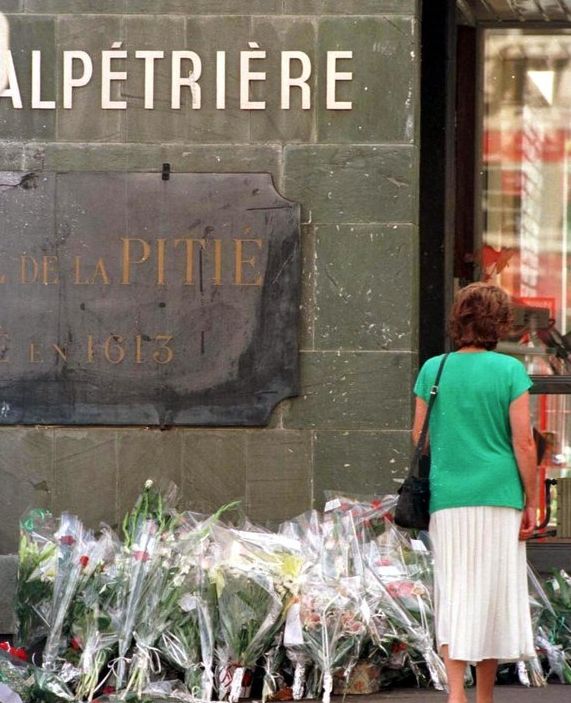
{"x": 414, "y": 494}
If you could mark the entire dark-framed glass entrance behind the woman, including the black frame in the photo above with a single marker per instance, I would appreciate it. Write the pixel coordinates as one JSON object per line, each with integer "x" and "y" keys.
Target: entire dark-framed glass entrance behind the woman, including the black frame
{"x": 504, "y": 160}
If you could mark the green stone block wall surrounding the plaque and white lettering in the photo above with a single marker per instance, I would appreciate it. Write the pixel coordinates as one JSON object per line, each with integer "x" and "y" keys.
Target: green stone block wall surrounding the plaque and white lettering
{"x": 356, "y": 175}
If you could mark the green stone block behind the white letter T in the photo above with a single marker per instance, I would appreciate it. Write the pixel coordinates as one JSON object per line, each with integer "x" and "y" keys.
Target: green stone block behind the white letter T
{"x": 160, "y": 124}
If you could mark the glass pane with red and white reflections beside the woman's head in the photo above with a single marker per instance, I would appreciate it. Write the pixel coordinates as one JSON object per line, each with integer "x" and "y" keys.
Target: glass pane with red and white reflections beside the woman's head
{"x": 525, "y": 237}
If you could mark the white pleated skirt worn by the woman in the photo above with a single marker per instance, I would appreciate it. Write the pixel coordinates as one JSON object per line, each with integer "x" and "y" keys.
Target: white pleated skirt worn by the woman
{"x": 480, "y": 584}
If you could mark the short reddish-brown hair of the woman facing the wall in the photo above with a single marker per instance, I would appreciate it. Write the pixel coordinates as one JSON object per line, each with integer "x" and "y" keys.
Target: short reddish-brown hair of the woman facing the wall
{"x": 481, "y": 315}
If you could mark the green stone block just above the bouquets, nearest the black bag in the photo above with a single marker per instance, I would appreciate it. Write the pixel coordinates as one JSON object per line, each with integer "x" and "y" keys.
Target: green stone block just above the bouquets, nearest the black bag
{"x": 359, "y": 463}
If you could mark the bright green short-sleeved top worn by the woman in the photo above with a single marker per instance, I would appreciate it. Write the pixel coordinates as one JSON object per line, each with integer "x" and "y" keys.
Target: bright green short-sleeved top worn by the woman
{"x": 472, "y": 460}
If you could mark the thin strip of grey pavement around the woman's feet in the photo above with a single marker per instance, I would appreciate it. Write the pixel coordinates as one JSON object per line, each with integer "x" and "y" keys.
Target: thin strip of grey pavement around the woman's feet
{"x": 554, "y": 693}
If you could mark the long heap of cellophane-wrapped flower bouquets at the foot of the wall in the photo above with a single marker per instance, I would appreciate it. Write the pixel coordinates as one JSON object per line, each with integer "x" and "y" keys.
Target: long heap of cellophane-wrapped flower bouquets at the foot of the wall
{"x": 181, "y": 606}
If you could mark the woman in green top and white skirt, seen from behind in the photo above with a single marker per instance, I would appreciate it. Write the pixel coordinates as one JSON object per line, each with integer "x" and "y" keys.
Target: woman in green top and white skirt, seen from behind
{"x": 483, "y": 493}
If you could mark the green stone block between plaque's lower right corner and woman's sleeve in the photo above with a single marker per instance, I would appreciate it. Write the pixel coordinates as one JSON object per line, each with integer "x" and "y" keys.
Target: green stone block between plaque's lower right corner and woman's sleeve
{"x": 352, "y": 390}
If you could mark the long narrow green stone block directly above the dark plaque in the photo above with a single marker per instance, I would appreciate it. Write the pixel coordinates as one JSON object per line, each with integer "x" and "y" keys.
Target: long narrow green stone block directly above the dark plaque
{"x": 146, "y": 157}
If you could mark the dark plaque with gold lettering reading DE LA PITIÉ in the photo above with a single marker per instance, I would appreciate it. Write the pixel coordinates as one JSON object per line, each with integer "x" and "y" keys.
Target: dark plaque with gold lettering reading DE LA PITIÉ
{"x": 129, "y": 299}
